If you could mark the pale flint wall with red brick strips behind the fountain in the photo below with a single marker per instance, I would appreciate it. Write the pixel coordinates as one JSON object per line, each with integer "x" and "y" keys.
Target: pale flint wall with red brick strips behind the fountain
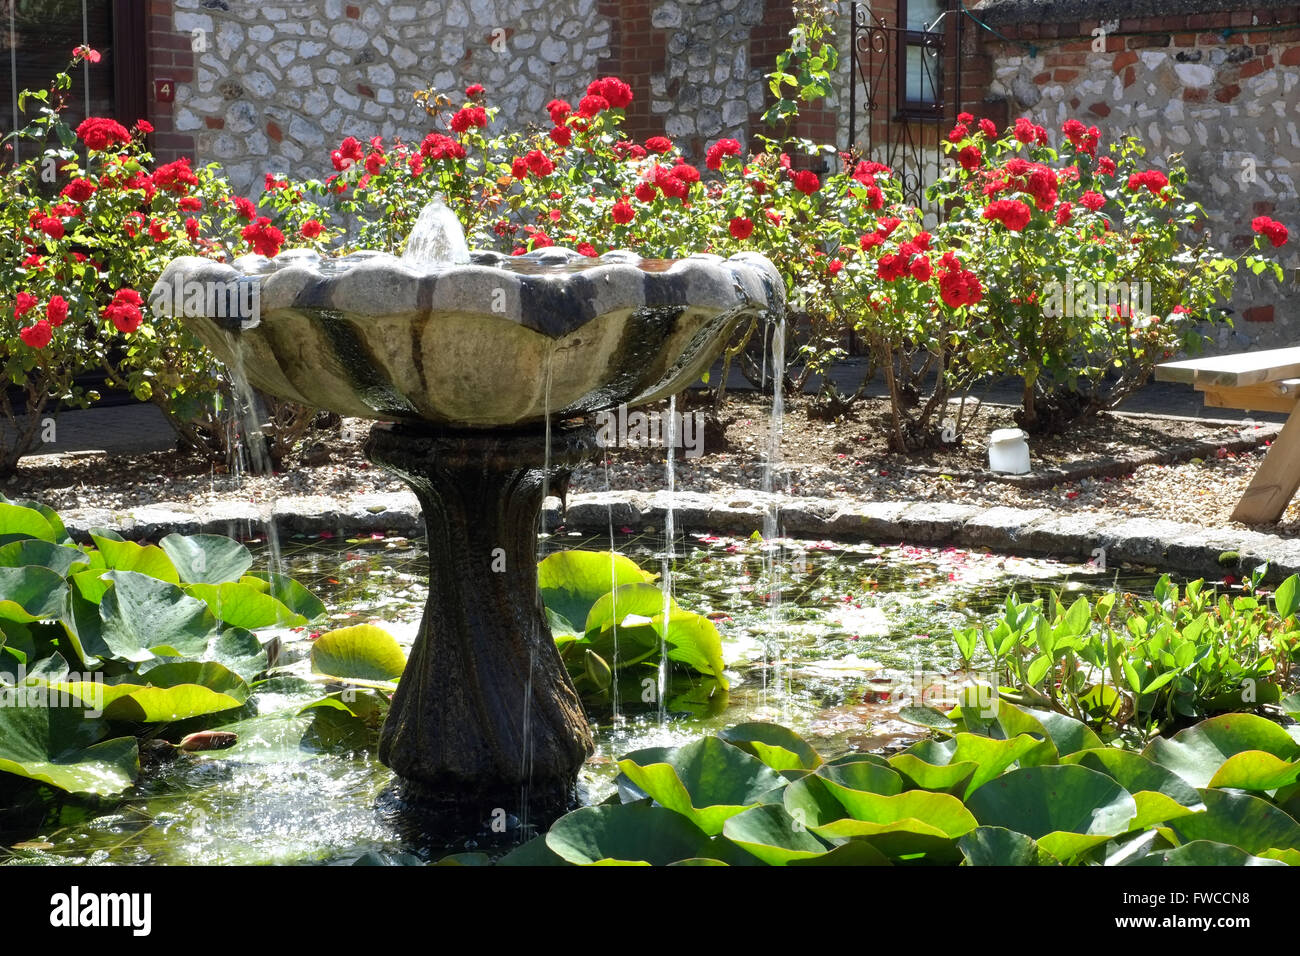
{"x": 279, "y": 84}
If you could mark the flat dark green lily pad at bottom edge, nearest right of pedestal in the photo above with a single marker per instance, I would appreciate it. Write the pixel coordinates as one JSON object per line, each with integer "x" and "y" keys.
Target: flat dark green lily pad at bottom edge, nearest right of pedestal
{"x": 626, "y": 833}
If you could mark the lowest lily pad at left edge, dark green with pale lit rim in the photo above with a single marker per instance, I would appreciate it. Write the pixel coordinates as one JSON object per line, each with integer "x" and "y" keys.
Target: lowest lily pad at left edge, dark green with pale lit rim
{"x": 62, "y": 747}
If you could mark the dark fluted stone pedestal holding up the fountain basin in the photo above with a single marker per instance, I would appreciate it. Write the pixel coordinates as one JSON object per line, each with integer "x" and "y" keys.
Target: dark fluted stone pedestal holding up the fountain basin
{"x": 486, "y": 711}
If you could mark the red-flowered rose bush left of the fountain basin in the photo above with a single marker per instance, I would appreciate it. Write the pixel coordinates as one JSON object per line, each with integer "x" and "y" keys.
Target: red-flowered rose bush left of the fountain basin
{"x": 89, "y": 224}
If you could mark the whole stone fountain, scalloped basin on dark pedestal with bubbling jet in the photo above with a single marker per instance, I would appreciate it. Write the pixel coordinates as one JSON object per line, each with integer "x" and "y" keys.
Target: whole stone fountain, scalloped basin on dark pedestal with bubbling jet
{"x": 483, "y": 373}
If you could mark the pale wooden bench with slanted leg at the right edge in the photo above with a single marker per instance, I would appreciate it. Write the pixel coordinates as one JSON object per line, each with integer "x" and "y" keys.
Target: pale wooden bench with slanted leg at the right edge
{"x": 1255, "y": 382}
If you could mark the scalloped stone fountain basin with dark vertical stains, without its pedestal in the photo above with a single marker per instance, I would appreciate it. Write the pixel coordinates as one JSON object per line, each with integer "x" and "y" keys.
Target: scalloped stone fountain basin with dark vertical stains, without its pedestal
{"x": 500, "y": 343}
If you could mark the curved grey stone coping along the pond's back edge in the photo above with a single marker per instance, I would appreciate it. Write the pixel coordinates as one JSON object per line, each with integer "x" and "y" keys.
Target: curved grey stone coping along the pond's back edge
{"x": 1074, "y": 537}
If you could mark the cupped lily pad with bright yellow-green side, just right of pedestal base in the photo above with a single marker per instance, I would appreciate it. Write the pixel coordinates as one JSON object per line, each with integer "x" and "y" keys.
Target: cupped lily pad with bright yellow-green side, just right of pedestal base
{"x": 707, "y": 781}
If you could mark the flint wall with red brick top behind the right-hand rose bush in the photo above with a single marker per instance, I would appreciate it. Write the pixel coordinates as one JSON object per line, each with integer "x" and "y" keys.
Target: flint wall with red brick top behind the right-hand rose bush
{"x": 1216, "y": 81}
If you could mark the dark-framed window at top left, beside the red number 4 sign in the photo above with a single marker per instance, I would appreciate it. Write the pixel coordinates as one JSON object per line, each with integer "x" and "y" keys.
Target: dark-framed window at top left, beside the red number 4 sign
{"x": 37, "y": 40}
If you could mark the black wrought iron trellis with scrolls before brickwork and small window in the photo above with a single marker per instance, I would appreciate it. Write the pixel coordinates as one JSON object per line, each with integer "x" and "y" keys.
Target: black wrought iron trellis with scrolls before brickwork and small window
{"x": 885, "y": 124}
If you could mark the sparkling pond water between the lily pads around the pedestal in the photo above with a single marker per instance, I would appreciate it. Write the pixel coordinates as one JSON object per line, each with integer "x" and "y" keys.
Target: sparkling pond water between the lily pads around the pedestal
{"x": 861, "y": 631}
